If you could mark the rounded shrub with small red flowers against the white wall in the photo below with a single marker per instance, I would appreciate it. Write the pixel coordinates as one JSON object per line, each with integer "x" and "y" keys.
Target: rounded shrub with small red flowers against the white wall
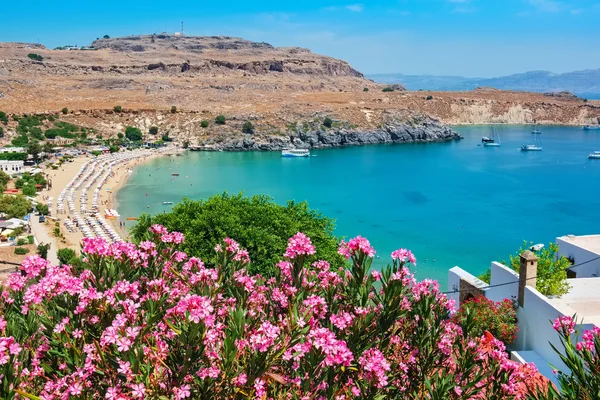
{"x": 500, "y": 318}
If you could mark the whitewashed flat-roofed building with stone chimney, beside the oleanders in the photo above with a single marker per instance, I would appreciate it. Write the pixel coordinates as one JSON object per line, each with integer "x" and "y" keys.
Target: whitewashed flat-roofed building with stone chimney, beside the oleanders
{"x": 536, "y": 311}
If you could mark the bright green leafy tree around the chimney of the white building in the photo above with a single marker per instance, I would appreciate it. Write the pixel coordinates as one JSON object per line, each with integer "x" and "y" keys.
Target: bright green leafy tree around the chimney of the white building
{"x": 551, "y": 273}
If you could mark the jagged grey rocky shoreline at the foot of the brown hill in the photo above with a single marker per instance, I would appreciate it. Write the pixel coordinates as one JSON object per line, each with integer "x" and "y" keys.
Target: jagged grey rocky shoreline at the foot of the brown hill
{"x": 425, "y": 131}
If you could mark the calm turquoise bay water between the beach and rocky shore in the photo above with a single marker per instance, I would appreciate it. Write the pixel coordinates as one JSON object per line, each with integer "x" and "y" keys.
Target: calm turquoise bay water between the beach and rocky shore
{"x": 451, "y": 203}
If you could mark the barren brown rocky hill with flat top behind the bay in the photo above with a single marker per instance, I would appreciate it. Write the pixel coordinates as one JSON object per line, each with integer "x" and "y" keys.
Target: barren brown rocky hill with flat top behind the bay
{"x": 284, "y": 92}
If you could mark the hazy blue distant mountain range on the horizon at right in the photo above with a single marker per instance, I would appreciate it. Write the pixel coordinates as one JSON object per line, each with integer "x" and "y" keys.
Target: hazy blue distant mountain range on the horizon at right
{"x": 586, "y": 81}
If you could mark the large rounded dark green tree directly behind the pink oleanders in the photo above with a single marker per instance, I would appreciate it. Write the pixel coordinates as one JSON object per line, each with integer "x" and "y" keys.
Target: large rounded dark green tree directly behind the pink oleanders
{"x": 258, "y": 223}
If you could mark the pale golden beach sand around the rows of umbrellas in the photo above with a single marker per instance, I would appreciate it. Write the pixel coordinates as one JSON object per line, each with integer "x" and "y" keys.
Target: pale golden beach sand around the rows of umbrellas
{"x": 59, "y": 178}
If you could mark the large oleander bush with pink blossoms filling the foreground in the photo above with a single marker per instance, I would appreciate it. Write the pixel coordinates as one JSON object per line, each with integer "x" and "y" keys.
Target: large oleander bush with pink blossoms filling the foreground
{"x": 148, "y": 321}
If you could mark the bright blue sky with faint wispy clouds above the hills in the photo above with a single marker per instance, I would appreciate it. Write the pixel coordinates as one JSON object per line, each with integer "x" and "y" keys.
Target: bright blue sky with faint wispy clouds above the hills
{"x": 472, "y": 38}
